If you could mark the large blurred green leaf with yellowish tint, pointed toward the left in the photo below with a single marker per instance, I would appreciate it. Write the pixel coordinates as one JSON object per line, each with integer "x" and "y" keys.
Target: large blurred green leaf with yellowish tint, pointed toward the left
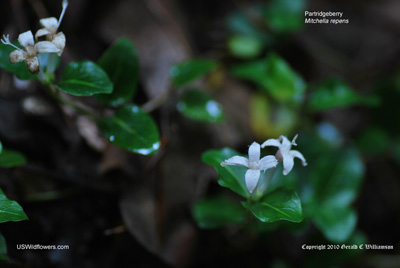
{"x": 274, "y": 76}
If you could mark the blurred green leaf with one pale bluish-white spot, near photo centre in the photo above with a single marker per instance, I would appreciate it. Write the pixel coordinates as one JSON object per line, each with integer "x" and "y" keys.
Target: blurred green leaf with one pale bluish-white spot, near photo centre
{"x": 197, "y": 105}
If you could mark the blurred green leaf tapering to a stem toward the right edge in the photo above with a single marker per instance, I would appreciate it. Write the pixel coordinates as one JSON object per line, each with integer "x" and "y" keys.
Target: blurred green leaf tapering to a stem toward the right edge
{"x": 334, "y": 93}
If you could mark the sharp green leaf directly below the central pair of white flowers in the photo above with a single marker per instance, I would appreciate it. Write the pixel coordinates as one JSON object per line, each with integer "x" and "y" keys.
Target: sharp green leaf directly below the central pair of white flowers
{"x": 282, "y": 204}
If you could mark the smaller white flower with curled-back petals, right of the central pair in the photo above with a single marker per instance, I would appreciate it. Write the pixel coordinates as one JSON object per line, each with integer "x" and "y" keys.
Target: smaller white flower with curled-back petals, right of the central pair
{"x": 284, "y": 153}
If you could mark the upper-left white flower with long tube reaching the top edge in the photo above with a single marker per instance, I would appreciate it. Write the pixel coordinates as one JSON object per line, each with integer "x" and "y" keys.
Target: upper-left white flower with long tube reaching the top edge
{"x": 50, "y": 30}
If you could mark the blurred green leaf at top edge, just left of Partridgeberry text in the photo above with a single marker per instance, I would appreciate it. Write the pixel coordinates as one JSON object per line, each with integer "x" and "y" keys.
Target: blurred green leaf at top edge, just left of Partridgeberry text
{"x": 285, "y": 15}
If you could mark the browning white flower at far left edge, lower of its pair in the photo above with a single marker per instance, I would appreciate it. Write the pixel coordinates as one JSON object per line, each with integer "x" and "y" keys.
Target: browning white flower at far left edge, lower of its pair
{"x": 30, "y": 51}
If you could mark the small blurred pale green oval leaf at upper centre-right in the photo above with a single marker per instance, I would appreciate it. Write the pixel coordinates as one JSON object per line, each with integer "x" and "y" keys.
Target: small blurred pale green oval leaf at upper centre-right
{"x": 243, "y": 46}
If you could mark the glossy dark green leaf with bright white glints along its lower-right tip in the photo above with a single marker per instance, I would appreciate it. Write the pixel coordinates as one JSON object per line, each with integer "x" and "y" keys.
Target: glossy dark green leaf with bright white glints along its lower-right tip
{"x": 132, "y": 129}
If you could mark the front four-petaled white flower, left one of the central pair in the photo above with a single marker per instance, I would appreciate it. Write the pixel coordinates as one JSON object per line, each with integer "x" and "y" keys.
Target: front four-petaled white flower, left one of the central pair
{"x": 254, "y": 165}
